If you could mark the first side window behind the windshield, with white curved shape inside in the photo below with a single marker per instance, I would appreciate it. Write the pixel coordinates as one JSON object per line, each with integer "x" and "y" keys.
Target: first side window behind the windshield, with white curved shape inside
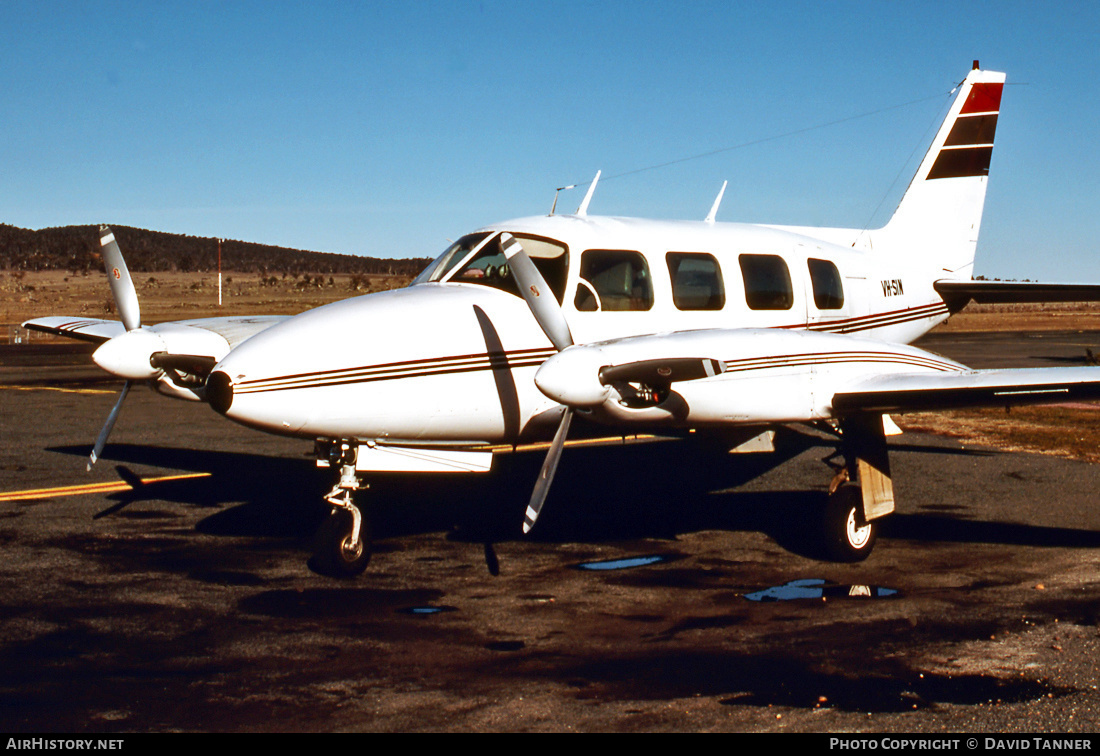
{"x": 614, "y": 280}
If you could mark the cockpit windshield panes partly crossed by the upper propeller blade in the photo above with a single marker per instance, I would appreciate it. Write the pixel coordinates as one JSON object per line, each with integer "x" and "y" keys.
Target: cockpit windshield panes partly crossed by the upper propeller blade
{"x": 478, "y": 259}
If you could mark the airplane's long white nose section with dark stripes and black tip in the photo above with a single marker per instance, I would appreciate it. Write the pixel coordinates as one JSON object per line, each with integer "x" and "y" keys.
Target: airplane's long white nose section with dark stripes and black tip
{"x": 419, "y": 363}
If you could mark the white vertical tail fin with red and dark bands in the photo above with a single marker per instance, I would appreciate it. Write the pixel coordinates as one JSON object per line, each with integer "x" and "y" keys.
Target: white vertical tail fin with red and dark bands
{"x": 941, "y": 213}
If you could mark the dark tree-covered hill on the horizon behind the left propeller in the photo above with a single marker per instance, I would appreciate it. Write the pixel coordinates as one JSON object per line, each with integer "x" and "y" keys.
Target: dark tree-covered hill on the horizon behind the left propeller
{"x": 76, "y": 249}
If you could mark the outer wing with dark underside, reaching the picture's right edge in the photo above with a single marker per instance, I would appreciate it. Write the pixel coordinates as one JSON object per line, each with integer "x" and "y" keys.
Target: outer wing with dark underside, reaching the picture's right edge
{"x": 919, "y": 392}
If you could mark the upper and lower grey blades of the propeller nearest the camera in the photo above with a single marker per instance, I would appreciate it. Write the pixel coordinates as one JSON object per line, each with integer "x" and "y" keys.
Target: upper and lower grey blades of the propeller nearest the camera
{"x": 541, "y": 299}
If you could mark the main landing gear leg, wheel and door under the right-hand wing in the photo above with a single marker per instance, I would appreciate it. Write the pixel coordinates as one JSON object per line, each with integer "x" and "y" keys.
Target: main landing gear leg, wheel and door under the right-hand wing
{"x": 851, "y": 517}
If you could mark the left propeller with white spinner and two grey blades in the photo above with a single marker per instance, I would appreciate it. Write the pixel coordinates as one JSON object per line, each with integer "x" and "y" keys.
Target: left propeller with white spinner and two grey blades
{"x": 125, "y": 356}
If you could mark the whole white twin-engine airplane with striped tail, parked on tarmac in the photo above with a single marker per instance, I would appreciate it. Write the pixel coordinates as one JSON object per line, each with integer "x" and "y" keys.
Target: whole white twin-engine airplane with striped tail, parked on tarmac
{"x": 634, "y": 325}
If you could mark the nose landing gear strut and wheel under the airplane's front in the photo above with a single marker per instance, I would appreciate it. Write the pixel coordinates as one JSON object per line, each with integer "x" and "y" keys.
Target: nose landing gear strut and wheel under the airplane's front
{"x": 343, "y": 545}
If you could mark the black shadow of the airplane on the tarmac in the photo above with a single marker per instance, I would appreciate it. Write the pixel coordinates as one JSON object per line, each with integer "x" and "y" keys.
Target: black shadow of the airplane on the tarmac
{"x": 658, "y": 490}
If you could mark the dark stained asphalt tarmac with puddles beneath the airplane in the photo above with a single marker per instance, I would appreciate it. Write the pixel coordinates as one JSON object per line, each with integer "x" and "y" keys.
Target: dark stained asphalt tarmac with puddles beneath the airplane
{"x": 667, "y": 588}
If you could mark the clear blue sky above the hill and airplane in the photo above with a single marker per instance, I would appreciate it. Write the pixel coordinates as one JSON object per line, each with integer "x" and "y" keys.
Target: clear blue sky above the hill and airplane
{"x": 388, "y": 128}
